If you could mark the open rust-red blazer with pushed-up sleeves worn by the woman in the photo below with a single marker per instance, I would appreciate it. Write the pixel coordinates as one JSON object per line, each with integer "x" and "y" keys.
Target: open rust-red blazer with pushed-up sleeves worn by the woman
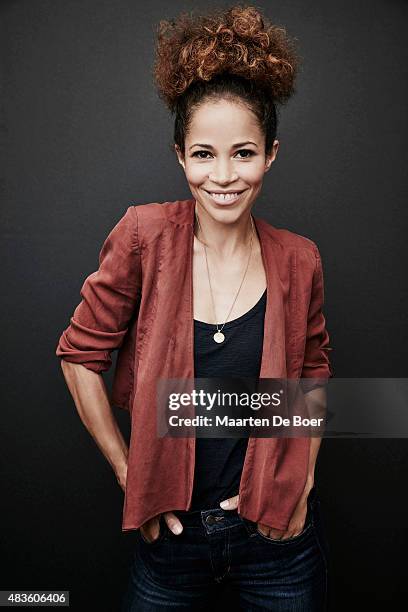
{"x": 140, "y": 301}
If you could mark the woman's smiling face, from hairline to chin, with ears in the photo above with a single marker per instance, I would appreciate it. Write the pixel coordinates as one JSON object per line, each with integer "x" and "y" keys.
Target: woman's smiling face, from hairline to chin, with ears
{"x": 225, "y": 152}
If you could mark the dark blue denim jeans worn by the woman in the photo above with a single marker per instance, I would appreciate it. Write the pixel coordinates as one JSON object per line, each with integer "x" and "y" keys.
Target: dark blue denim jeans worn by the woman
{"x": 218, "y": 547}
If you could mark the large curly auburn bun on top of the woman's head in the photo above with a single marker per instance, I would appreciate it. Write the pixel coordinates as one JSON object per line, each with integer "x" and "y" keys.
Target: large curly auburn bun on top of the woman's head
{"x": 238, "y": 40}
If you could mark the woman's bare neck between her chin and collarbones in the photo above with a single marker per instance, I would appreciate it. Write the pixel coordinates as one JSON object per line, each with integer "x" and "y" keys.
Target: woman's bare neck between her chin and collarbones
{"x": 225, "y": 239}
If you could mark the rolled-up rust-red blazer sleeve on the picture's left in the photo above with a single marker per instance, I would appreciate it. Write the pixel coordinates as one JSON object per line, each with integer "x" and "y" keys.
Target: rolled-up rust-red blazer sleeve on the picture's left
{"x": 109, "y": 297}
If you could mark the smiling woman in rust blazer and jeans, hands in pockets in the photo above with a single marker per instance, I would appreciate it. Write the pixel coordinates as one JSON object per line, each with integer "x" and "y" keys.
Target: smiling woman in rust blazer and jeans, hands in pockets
{"x": 200, "y": 288}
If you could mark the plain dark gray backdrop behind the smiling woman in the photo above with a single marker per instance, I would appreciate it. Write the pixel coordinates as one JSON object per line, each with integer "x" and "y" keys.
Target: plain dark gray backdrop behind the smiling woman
{"x": 85, "y": 136}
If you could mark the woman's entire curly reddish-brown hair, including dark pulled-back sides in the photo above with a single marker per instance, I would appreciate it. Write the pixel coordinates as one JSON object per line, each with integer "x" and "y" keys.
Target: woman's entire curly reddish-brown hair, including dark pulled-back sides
{"x": 233, "y": 53}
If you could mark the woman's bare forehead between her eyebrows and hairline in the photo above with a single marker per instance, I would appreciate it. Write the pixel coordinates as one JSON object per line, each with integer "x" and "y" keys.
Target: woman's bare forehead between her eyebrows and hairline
{"x": 223, "y": 119}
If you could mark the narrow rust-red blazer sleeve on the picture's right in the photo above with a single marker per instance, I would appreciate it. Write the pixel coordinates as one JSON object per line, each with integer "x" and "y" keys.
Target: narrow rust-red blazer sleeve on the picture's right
{"x": 316, "y": 363}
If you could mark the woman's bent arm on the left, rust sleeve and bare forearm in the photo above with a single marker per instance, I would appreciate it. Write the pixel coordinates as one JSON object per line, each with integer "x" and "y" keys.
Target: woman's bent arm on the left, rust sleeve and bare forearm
{"x": 97, "y": 327}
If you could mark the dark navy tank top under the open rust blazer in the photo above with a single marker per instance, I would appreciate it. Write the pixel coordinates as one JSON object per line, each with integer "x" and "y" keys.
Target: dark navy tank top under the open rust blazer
{"x": 219, "y": 461}
